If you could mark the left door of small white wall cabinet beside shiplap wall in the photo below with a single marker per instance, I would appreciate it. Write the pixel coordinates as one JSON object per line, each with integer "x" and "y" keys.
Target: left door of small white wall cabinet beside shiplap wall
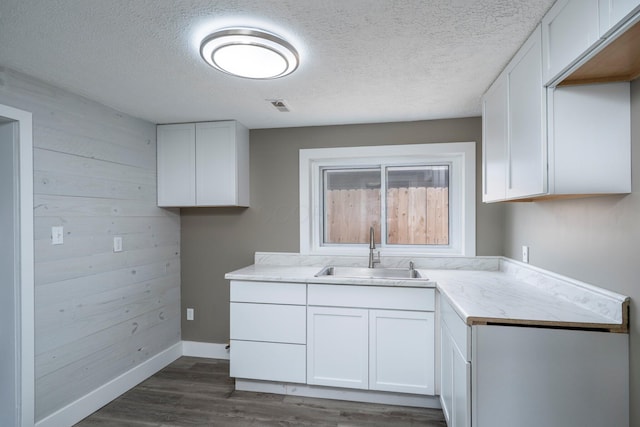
{"x": 176, "y": 165}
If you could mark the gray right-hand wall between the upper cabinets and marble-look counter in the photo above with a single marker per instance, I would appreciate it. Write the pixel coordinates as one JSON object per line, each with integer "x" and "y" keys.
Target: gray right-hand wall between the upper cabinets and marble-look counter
{"x": 595, "y": 239}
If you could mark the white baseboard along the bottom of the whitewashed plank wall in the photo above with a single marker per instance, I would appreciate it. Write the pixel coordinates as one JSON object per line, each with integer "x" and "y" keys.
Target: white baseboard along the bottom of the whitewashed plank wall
{"x": 86, "y": 405}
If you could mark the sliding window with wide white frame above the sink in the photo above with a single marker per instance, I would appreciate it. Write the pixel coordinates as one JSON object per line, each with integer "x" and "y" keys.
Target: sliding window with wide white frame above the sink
{"x": 418, "y": 199}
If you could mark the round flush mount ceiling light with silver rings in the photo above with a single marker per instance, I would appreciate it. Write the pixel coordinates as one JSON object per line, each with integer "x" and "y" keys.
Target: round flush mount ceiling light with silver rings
{"x": 249, "y": 53}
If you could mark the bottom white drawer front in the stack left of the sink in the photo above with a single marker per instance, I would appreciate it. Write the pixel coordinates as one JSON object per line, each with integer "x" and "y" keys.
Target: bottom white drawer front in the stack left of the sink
{"x": 268, "y": 361}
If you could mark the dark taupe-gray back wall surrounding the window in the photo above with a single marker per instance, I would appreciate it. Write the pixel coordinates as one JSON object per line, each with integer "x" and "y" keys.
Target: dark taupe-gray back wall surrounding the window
{"x": 215, "y": 241}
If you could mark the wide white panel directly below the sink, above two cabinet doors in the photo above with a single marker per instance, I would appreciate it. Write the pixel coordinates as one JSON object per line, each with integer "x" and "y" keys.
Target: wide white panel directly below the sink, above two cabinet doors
{"x": 392, "y": 298}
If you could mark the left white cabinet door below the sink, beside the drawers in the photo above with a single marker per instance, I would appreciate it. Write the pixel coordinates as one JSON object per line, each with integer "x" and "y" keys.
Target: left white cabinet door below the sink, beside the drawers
{"x": 337, "y": 347}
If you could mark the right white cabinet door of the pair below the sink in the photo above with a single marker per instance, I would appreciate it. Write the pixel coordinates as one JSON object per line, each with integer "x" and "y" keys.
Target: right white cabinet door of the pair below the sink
{"x": 401, "y": 351}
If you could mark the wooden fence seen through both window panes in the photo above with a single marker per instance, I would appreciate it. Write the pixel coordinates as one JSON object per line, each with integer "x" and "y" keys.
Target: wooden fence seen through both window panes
{"x": 416, "y": 215}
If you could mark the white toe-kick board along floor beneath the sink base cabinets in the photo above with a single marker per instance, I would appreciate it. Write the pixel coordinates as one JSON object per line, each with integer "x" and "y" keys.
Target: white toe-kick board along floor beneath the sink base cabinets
{"x": 369, "y": 396}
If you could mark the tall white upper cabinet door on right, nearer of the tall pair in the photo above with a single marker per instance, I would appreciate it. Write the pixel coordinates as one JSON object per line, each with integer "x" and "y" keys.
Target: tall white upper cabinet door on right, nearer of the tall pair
{"x": 526, "y": 172}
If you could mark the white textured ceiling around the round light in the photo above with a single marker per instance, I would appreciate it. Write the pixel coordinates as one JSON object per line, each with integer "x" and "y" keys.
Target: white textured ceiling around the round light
{"x": 362, "y": 61}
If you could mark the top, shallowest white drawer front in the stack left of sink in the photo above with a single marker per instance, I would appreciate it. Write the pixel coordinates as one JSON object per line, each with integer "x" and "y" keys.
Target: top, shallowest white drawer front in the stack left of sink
{"x": 268, "y": 292}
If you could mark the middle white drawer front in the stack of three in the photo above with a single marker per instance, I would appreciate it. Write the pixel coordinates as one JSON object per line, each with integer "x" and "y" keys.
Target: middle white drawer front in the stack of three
{"x": 268, "y": 322}
